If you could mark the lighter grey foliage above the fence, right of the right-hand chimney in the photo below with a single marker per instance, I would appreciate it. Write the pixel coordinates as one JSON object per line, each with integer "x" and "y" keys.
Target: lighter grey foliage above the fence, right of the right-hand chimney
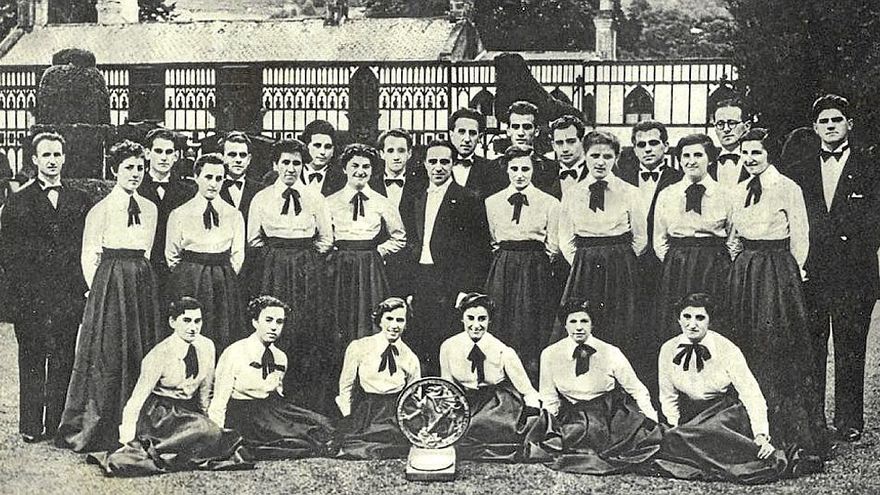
{"x": 663, "y": 32}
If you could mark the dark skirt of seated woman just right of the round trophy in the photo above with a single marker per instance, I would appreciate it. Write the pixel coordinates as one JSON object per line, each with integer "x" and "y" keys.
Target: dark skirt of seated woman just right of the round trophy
{"x": 498, "y": 424}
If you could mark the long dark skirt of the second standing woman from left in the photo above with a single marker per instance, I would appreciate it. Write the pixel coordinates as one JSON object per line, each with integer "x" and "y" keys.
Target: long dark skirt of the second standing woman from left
{"x": 209, "y": 277}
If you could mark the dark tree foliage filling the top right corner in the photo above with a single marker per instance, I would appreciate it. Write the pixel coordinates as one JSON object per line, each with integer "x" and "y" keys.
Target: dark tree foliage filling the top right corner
{"x": 789, "y": 53}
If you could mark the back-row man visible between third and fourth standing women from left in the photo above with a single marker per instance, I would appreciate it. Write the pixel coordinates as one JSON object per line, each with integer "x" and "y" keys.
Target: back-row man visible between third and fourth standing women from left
{"x": 319, "y": 174}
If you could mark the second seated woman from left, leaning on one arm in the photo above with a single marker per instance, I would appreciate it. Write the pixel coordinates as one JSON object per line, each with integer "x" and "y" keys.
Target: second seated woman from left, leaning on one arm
{"x": 248, "y": 392}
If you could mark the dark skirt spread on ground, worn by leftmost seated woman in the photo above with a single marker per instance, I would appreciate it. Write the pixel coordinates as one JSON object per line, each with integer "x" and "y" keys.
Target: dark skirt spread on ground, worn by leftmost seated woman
{"x": 174, "y": 435}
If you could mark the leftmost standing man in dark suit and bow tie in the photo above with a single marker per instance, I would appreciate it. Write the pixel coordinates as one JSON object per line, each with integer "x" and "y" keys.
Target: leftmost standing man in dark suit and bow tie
{"x": 40, "y": 245}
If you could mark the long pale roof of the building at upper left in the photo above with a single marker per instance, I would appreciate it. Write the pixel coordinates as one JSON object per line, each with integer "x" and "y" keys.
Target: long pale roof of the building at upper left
{"x": 391, "y": 39}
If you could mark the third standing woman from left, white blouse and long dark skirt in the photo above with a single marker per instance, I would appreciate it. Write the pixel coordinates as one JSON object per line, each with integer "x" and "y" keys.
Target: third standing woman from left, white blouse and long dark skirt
{"x": 291, "y": 224}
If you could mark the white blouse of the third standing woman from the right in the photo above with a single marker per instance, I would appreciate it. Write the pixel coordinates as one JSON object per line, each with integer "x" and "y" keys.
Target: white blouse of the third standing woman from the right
{"x": 622, "y": 214}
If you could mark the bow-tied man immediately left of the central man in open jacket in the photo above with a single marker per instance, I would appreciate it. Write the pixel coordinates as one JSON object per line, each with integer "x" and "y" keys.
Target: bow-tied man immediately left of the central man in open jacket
{"x": 398, "y": 181}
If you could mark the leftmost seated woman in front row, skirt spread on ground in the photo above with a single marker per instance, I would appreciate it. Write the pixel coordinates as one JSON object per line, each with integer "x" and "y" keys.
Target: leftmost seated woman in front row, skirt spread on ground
{"x": 164, "y": 427}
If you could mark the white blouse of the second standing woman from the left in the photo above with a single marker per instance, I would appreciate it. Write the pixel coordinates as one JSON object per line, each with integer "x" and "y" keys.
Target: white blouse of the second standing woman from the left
{"x": 186, "y": 231}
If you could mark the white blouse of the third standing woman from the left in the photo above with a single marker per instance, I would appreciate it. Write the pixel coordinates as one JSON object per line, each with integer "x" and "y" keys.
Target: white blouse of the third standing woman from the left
{"x": 265, "y": 218}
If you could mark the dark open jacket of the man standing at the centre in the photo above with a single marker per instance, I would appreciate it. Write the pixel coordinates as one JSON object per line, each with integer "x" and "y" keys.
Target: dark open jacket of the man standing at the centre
{"x": 460, "y": 243}
